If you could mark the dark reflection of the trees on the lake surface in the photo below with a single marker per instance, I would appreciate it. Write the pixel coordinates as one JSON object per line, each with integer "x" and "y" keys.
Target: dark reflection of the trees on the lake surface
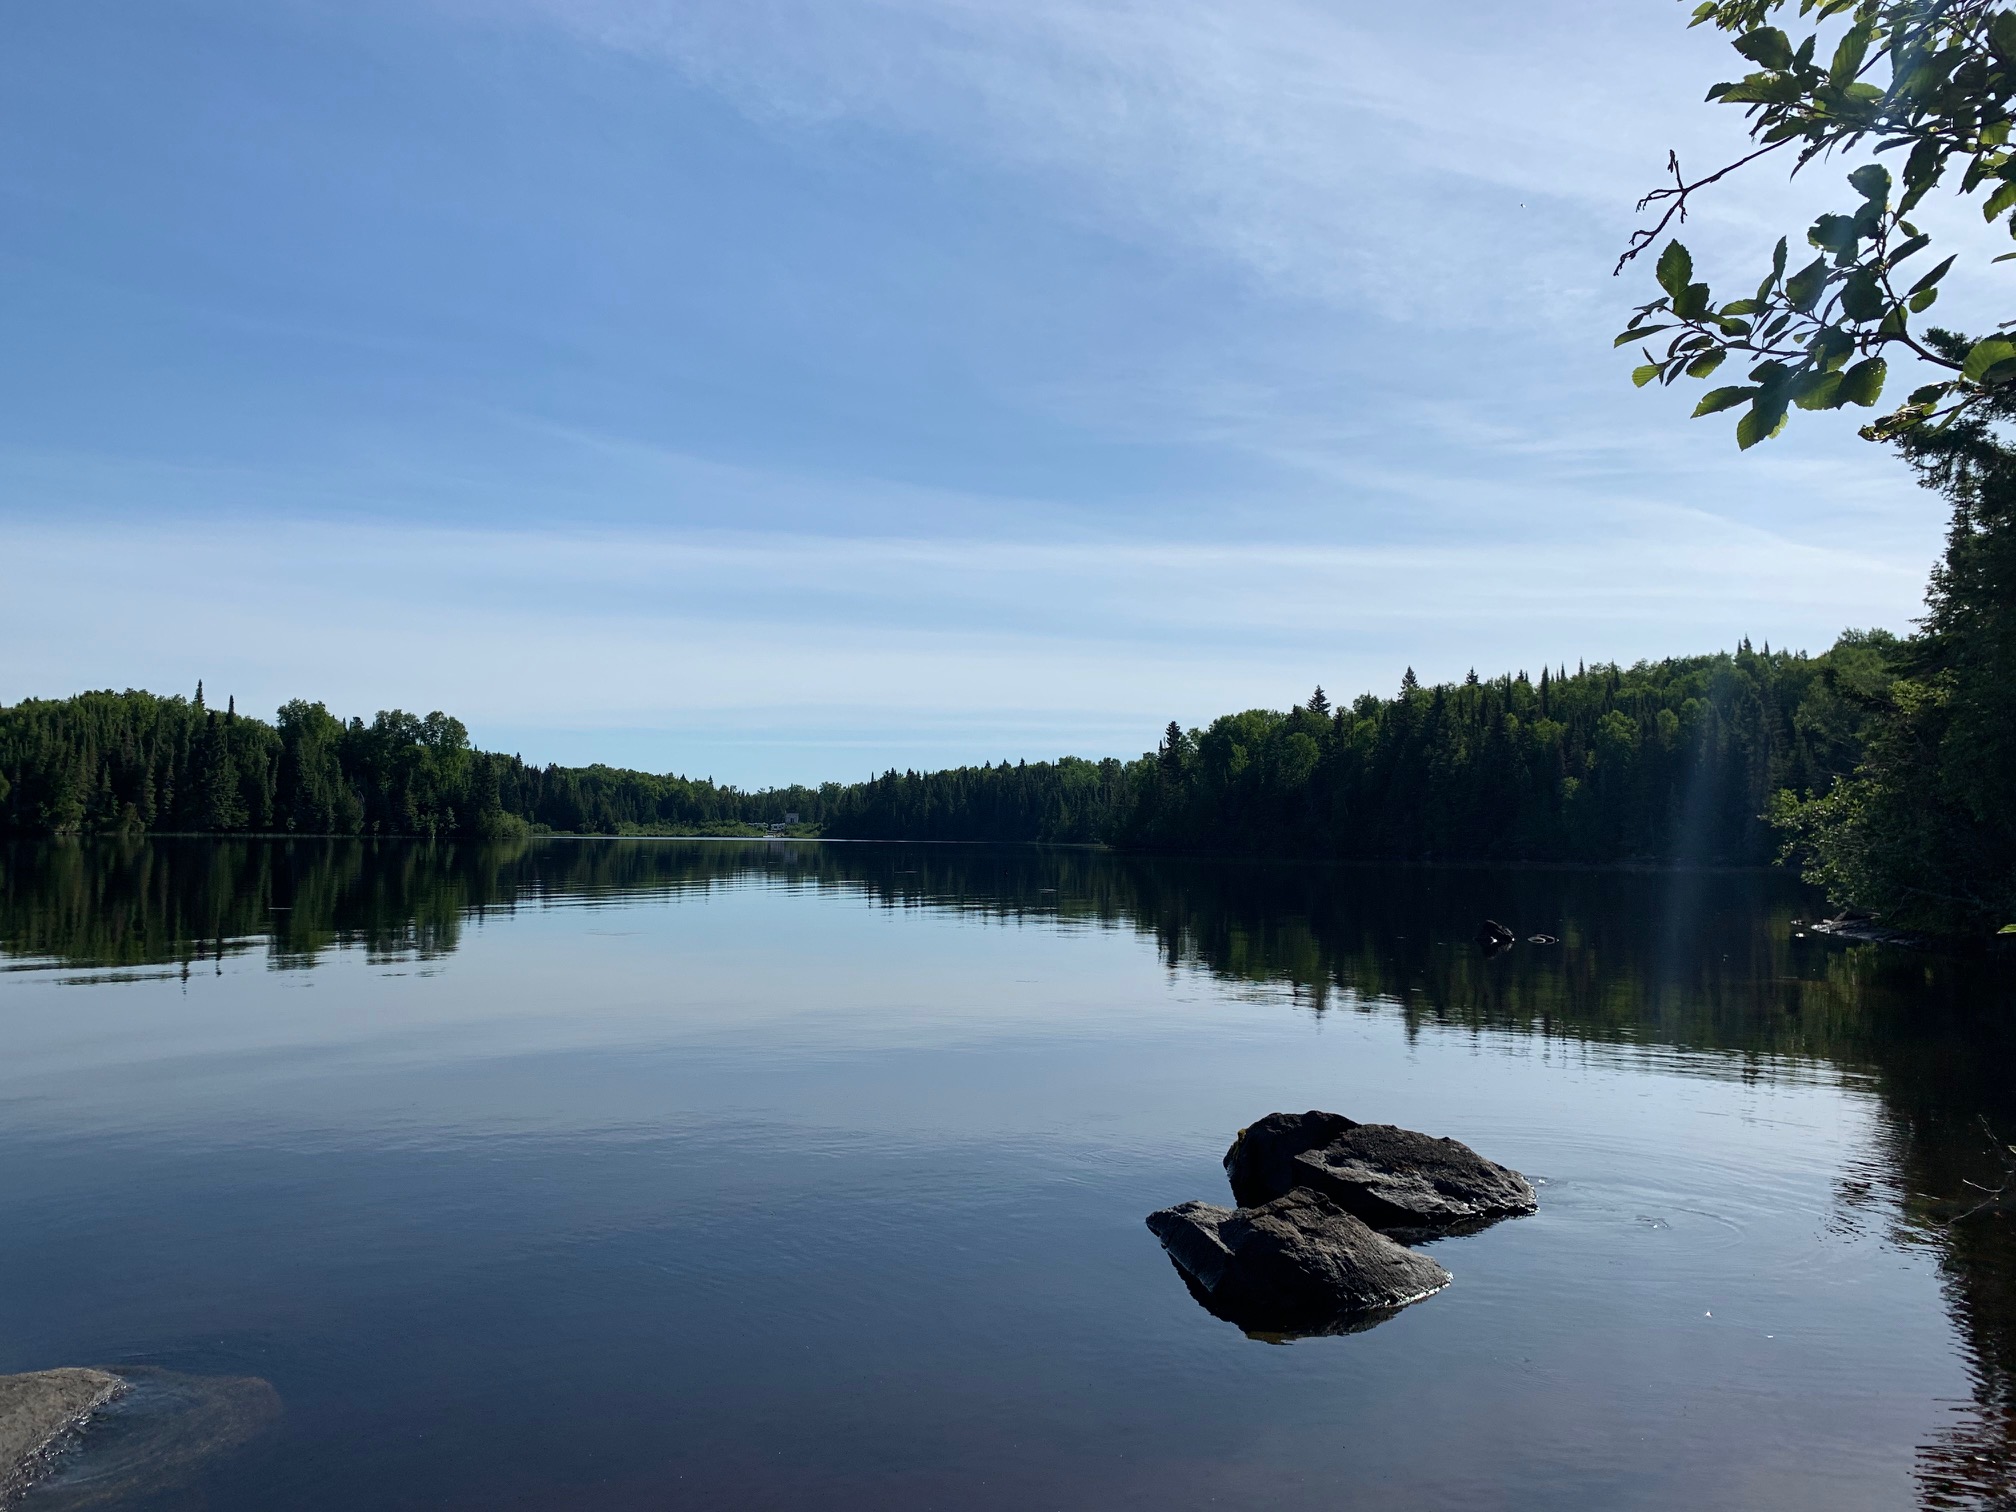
{"x": 1932, "y": 1037}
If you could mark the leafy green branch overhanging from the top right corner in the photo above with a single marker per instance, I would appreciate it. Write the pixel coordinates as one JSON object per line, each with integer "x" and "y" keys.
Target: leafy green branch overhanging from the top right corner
{"x": 1934, "y": 84}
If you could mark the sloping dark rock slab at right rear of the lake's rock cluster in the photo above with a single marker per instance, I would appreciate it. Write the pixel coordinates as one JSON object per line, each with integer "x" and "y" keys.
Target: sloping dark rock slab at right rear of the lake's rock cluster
{"x": 1404, "y": 1180}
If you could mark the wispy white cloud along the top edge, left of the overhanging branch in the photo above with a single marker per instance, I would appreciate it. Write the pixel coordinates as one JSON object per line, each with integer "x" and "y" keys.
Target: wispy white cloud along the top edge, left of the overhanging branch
{"x": 1446, "y": 164}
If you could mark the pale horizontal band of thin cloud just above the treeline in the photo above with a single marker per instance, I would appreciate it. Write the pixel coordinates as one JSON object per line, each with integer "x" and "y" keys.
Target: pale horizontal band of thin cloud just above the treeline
{"x": 799, "y": 658}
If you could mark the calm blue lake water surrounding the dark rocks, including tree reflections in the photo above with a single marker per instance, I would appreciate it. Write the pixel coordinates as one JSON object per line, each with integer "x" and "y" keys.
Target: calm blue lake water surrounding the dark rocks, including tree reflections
{"x": 684, "y": 1174}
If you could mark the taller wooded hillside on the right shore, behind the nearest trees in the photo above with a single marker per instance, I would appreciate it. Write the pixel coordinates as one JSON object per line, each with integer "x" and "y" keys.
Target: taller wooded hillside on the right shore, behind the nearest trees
{"x": 1670, "y": 761}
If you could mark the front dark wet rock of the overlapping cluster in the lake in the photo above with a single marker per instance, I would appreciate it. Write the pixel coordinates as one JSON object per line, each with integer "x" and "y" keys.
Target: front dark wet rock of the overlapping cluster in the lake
{"x": 1293, "y": 1265}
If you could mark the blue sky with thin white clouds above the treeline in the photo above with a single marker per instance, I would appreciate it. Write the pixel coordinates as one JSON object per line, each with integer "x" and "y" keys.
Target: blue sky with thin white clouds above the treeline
{"x": 787, "y": 390}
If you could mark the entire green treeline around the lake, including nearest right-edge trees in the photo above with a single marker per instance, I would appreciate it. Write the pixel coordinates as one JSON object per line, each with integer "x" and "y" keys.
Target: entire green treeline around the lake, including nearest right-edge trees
{"x": 1874, "y": 767}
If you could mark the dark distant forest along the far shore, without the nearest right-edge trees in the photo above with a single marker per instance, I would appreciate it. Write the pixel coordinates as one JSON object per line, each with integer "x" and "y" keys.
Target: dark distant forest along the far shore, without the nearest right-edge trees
{"x": 1668, "y": 763}
